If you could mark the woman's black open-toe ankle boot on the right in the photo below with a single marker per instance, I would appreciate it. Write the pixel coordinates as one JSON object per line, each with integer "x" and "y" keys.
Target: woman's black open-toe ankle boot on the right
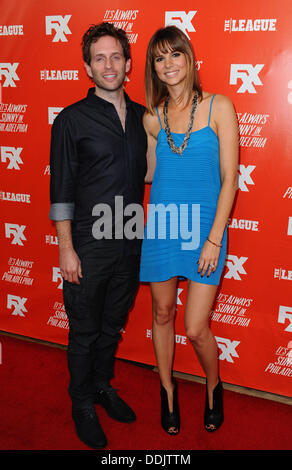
{"x": 213, "y": 418}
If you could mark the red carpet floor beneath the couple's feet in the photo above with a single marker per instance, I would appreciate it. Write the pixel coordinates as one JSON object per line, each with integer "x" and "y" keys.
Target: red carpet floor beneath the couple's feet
{"x": 35, "y": 411}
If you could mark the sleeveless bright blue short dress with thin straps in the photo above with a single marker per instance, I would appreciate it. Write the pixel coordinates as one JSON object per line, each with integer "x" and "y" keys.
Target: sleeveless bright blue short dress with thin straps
{"x": 182, "y": 207}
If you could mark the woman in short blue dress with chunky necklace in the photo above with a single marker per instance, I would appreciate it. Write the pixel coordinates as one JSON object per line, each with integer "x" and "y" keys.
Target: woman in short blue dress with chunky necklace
{"x": 193, "y": 167}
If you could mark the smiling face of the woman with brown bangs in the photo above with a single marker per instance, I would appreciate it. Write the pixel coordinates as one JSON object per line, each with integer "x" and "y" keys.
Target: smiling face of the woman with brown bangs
{"x": 170, "y": 67}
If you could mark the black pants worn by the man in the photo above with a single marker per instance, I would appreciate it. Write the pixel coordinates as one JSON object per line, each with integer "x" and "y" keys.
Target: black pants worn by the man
{"x": 97, "y": 310}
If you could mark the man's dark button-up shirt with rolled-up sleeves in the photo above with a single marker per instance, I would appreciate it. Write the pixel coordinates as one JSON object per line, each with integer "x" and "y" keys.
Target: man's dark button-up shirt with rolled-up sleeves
{"x": 92, "y": 161}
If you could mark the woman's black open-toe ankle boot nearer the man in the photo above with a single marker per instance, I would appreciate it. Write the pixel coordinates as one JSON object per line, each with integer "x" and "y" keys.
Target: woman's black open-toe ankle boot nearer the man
{"x": 169, "y": 419}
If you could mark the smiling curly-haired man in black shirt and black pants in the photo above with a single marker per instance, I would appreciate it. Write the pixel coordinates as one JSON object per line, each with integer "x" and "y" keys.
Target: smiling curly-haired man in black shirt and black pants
{"x": 98, "y": 154}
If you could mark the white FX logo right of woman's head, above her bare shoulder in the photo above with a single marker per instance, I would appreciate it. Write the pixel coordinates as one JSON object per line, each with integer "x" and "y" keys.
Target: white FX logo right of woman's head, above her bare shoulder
{"x": 248, "y": 74}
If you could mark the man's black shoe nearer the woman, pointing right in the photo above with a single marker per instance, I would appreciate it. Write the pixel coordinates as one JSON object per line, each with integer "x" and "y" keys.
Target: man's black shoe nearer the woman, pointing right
{"x": 115, "y": 407}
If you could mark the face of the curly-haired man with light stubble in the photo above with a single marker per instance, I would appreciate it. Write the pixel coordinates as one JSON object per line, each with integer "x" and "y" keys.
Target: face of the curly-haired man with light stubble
{"x": 108, "y": 66}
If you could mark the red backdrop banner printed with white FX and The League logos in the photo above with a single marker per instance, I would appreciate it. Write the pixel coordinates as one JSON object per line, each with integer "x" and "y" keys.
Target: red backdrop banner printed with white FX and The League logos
{"x": 243, "y": 50}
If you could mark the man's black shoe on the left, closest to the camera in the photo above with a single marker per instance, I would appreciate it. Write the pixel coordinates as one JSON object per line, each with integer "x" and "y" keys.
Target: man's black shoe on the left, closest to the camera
{"x": 88, "y": 428}
